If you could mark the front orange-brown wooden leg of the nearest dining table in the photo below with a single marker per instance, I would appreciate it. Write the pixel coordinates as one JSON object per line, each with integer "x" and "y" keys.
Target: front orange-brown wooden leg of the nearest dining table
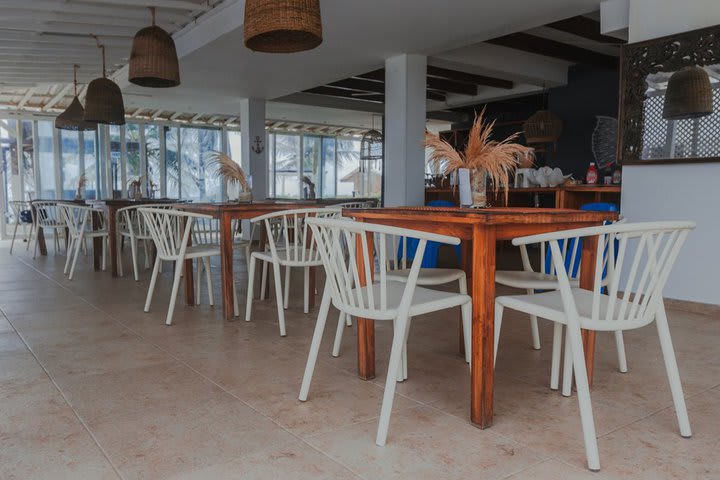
{"x": 483, "y": 326}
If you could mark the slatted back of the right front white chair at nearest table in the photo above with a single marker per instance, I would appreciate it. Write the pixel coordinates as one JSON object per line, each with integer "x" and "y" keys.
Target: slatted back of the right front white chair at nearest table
{"x": 644, "y": 255}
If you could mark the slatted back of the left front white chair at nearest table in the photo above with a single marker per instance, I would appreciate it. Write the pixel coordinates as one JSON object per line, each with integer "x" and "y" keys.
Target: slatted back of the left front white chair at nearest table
{"x": 344, "y": 276}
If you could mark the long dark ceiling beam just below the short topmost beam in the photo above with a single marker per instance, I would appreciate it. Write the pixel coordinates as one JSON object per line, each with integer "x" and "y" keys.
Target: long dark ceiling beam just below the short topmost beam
{"x": 551, "y": 48}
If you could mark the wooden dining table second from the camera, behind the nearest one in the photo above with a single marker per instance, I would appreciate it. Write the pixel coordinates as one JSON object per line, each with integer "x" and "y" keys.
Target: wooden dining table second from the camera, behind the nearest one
{"x": 226, "y": 213}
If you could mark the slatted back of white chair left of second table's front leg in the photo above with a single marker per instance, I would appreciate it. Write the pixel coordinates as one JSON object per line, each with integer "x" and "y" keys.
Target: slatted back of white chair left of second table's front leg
{"x": 170, "y": 230}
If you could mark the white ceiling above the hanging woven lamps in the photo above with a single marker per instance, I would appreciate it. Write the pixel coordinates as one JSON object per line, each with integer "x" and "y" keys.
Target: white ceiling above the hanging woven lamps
{"x": 217, "y": 70}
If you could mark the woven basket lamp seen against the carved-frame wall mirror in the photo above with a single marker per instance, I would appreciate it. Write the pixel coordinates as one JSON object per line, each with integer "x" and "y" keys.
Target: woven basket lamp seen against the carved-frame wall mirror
{"x": 688, "y": 95}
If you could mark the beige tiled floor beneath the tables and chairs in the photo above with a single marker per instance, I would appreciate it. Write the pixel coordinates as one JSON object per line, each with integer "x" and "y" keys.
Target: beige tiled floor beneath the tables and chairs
{"x": 92, "y": 387}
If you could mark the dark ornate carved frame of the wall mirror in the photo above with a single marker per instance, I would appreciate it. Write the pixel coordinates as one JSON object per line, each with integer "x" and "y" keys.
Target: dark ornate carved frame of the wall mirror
{"x": 643, "y": 60}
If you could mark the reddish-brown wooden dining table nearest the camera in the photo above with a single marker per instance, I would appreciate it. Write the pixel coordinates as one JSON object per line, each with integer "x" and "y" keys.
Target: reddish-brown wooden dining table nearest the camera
{"x": 480, "y": 230}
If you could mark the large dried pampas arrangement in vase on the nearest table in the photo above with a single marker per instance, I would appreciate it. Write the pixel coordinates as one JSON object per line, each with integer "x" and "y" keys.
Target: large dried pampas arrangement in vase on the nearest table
{"x": 482, "y": 158}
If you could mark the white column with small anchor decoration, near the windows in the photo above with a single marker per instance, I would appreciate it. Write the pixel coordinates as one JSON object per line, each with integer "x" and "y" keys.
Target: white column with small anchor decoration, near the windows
{"x": 252, "y": 125}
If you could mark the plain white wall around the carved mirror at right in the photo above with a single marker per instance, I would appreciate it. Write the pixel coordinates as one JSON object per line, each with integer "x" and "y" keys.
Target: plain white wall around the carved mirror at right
{"x": 680, "y": 191}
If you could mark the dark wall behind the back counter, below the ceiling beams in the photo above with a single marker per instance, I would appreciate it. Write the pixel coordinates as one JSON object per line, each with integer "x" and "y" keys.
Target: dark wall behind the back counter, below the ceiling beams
{"x": 590, "y": 91}
